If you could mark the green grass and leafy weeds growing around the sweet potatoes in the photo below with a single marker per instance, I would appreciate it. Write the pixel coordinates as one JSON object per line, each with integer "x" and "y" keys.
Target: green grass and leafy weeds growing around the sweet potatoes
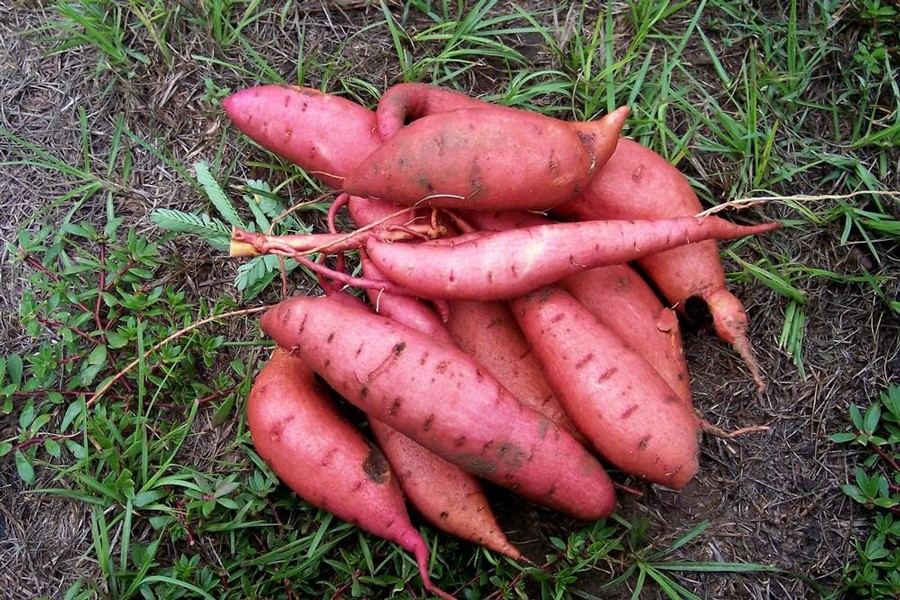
{"x": 164, "y": 526}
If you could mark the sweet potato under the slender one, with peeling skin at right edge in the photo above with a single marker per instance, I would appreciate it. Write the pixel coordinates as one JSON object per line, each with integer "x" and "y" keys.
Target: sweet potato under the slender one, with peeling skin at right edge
{"x": 621, "y": 300}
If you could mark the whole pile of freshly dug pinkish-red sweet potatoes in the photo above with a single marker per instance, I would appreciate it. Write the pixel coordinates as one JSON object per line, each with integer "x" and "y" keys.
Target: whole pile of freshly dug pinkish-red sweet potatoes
{"x": 506, "y": 335}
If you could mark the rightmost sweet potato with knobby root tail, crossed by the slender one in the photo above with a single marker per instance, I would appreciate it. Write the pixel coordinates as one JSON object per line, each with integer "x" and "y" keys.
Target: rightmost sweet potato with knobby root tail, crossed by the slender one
{"x": 638, "y": 183}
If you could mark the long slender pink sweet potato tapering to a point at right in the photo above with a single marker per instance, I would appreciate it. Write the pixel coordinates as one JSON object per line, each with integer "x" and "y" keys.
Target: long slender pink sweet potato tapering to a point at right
{"x": 500, "y": 265}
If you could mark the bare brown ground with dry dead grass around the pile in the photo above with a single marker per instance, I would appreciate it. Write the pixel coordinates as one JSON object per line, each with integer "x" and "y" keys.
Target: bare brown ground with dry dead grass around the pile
{"x": 771, "y": 498}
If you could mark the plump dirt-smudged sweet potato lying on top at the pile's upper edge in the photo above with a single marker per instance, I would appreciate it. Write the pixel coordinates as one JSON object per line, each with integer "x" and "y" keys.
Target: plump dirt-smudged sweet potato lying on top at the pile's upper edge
{"x": 479, "y": 159}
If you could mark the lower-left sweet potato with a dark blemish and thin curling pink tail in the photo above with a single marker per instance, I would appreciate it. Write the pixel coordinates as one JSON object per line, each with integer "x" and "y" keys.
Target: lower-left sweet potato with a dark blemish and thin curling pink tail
{"x": 324, "y": 459}
